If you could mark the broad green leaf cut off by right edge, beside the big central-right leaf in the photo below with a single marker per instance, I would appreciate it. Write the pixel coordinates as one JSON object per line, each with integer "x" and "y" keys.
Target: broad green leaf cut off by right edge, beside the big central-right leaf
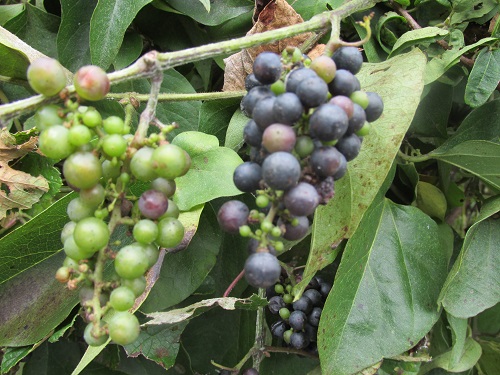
{"x": 473, "y": 284}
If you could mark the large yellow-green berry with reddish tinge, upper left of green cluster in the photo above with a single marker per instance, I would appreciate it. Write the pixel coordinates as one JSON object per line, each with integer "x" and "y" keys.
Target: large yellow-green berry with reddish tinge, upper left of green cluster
{"x": 82, "y": 170}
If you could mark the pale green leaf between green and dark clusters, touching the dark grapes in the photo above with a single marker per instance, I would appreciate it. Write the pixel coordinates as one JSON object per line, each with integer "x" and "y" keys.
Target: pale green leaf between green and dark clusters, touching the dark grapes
{"x": 210, "y": 177}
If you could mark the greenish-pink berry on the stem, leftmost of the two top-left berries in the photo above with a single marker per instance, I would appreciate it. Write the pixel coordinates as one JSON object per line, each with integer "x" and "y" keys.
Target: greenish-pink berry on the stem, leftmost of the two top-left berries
{"x": 46, "y": 76}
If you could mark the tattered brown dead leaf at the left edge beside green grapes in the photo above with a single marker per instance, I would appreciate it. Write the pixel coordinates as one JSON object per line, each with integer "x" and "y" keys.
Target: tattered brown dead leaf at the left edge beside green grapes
{"x": 17, "y": 189}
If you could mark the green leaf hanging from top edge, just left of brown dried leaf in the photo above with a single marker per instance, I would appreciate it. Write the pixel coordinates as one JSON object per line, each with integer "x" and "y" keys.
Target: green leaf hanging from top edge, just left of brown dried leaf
{"x": 220, "y": 11}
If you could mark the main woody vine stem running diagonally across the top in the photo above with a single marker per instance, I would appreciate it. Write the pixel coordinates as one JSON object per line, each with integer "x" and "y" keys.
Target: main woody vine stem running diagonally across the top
{"x": 143, "y": 68}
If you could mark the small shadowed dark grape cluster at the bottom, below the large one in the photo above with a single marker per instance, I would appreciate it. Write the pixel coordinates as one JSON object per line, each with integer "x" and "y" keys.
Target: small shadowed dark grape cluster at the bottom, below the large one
{"x": 298, "y": 321}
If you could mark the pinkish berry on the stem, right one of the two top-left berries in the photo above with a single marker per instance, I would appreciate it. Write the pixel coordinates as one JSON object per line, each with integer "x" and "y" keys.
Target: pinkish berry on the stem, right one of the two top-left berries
{"x": 91, "y": 83}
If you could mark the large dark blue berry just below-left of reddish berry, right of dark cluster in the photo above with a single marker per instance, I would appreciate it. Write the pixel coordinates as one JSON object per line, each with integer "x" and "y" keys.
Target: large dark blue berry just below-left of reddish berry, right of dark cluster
{"x": 328, "y": 122}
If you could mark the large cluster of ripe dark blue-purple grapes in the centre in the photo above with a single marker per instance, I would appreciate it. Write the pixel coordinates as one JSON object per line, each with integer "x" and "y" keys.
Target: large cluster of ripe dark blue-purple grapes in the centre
{"x": 308, "y": 120}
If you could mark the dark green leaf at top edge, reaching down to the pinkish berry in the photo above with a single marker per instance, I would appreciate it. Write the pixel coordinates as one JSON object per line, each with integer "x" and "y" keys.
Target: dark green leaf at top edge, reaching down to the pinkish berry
{"x": 74, "y": 33}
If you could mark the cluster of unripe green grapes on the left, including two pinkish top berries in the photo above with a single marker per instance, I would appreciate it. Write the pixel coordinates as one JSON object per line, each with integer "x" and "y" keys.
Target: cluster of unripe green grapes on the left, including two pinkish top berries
{"x": 101, "y": 160}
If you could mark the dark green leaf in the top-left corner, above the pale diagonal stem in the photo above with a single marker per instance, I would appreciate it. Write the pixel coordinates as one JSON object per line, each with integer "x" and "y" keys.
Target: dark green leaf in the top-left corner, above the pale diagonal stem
{"x": 37, "y": 28}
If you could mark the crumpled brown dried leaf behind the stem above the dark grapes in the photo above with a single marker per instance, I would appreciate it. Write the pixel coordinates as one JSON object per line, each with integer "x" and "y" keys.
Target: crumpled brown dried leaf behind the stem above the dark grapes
{"x": 276, "y": 14}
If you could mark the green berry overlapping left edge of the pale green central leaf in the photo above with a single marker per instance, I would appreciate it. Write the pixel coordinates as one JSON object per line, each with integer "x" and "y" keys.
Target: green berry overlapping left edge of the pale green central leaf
{"x": 170, "y": 161}
